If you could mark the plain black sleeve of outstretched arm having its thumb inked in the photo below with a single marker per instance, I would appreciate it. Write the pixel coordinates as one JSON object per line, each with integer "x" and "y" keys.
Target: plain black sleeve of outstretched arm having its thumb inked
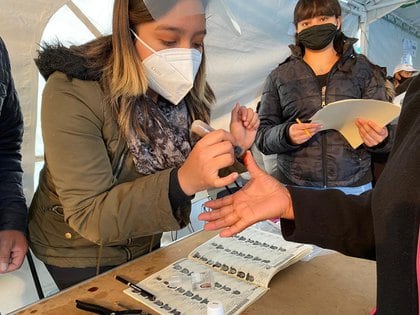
{"x": 331, "y": 219}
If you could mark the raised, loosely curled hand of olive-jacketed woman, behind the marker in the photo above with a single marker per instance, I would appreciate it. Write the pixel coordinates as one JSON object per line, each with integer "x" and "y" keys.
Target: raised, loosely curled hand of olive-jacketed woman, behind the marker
{"x": 244, "y": 123}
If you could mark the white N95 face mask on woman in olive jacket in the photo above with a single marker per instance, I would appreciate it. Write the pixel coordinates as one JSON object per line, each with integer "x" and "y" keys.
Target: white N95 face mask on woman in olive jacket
{"x": 171, "y": 72}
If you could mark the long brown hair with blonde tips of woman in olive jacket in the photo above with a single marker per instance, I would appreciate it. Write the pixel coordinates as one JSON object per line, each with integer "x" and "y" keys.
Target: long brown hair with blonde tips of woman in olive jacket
{"x": 123, "y": 79}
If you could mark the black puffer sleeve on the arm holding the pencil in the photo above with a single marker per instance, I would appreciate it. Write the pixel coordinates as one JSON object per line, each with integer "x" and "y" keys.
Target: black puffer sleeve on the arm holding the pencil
{"x": 272, "y": 135}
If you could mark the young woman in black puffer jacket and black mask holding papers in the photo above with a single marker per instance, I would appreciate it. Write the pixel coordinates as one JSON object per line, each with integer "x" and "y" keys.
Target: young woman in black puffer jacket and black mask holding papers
{"x": 322, "y": 68}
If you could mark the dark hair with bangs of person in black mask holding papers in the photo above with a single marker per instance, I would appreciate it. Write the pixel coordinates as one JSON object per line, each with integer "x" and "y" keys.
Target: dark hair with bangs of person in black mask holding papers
{"x": 307, "y": 9}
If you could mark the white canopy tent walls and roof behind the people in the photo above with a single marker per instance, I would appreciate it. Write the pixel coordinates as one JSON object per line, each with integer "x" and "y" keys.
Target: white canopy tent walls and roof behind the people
{"x": 389, "y": 31}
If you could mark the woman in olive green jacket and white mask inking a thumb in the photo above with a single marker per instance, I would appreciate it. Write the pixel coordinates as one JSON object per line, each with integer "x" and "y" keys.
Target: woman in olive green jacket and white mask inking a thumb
{"x": 121, "y": 166}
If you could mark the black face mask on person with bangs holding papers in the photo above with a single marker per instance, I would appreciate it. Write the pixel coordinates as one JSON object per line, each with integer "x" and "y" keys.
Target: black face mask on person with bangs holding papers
{"x": 317, "y": 37}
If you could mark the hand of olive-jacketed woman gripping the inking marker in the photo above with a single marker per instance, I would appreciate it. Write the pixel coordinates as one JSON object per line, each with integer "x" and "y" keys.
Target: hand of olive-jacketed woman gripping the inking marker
{"x": 201, "y": 169}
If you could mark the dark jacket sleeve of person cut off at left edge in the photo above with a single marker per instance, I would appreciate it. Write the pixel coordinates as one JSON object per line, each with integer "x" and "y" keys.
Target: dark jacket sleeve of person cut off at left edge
{"x": 13, "y": 210}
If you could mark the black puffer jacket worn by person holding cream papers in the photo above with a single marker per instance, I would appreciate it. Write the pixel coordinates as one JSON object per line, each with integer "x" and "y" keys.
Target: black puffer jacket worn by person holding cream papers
{"x": 292, "y": 91}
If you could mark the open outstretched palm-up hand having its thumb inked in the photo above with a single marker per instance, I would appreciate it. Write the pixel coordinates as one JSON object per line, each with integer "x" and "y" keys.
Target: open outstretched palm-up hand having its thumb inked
{"x": 262, "y": 197}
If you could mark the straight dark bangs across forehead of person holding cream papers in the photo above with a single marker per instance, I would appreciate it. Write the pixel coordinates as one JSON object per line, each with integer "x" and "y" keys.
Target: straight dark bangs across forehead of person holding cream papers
{"x": 307, "y": 9}
